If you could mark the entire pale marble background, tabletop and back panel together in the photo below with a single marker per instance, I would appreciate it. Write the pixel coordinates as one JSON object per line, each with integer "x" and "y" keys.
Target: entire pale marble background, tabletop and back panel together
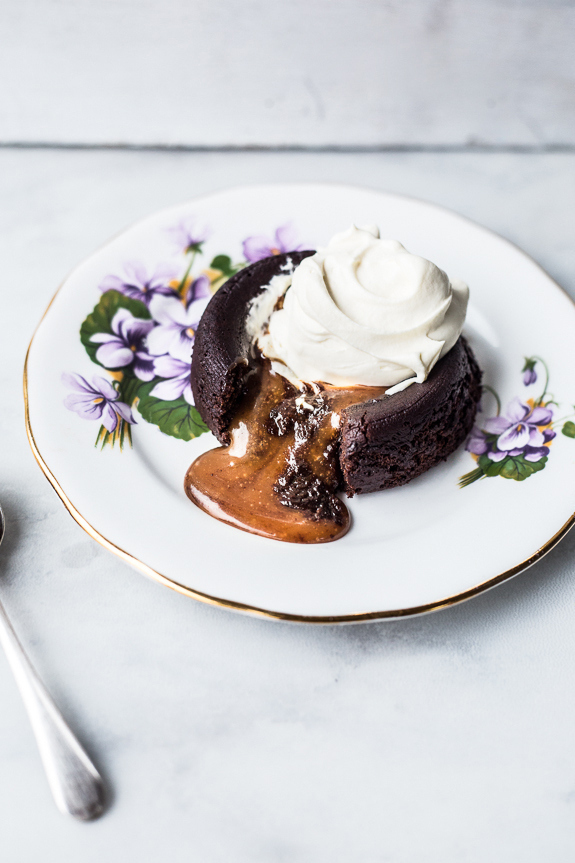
{"x": 227, "y": 739}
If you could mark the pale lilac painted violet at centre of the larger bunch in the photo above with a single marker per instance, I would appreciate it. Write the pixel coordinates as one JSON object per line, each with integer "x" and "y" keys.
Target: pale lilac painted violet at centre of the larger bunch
{"x": 178, "y": 321}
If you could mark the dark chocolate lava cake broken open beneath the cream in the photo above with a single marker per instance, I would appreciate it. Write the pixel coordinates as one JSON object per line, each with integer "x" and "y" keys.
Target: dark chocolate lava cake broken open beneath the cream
{"x": 380, "y": 443}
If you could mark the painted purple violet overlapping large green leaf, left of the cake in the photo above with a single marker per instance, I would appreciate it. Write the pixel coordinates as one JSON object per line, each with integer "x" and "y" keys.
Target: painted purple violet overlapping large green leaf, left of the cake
{"x": 126, "y": 344}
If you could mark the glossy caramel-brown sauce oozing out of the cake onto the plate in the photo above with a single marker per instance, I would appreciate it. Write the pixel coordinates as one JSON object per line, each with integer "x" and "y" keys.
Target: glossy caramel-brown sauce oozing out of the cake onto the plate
{"x": 279, "y": 475}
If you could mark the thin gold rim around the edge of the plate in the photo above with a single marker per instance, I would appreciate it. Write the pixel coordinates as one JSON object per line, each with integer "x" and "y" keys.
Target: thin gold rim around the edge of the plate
{"x": 356, "y": 617}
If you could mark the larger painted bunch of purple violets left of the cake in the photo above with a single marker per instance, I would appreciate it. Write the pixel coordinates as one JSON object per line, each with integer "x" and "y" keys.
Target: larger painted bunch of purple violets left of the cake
{"x": 141, "y": 332}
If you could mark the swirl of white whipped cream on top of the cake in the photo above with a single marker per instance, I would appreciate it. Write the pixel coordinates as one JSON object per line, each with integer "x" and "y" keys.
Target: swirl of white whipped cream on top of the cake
{"x": 362, "y": 311}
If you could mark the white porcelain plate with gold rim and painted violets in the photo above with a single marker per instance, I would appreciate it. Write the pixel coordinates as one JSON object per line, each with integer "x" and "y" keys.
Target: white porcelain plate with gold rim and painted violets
{"x": 412, "y": 549}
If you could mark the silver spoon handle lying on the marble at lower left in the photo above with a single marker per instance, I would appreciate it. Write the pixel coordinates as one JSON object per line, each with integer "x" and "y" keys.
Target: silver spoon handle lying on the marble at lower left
{"x": 74, "y": 781}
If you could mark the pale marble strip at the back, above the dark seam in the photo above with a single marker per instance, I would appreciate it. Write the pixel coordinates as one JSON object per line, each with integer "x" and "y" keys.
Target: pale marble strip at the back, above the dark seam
{"x": 303, "y": 72}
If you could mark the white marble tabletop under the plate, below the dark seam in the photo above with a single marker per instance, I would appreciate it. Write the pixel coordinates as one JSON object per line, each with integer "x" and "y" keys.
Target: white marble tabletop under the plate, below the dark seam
{"x": 225, "y": 738}
